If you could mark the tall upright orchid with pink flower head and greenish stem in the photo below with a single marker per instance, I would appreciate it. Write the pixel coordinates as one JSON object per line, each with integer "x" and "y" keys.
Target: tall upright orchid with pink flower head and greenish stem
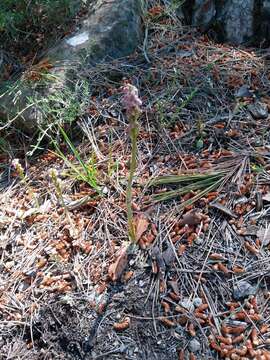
{"x": 132, "y": 104}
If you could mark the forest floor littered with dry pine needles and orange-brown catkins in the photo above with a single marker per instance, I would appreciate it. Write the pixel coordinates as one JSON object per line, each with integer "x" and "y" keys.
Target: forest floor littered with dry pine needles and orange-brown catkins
{"x": 196, "y": 284}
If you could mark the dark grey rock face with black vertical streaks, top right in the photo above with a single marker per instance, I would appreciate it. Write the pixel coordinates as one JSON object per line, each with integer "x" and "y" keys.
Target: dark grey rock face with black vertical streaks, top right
{"x": 235, "y": 21}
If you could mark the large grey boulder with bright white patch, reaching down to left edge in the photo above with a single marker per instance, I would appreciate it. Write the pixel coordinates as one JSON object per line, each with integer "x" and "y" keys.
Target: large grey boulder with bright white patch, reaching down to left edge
{"x": 112, "y": 30}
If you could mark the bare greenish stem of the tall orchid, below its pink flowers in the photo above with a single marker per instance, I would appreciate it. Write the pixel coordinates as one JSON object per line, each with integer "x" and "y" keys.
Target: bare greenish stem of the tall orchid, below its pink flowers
{"x": 133, "y": 164}
